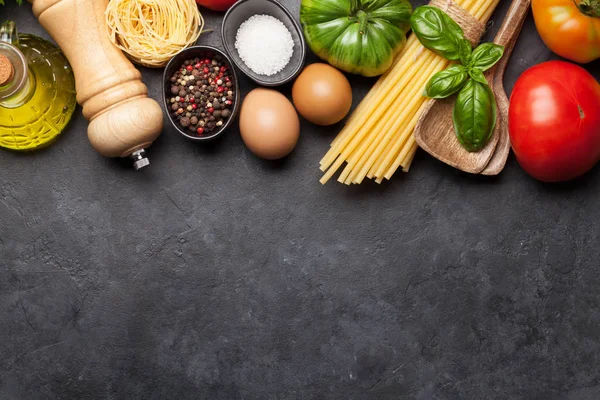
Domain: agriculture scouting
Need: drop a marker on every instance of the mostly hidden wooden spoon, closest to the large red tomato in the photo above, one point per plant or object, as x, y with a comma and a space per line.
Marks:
498, 161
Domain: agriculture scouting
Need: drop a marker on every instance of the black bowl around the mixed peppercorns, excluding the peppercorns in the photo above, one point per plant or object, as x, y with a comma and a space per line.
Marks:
175, 64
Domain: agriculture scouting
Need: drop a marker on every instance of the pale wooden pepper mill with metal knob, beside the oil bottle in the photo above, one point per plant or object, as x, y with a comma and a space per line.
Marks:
123, 120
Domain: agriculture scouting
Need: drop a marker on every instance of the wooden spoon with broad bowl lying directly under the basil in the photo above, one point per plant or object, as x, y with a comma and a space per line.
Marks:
435, 130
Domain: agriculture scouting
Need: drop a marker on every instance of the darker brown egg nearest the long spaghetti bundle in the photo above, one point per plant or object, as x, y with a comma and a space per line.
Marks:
322, 94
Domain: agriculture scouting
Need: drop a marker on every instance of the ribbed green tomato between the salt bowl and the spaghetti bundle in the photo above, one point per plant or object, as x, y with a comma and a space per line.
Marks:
357, 36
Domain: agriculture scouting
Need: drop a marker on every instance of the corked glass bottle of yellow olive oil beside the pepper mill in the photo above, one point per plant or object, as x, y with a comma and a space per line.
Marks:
37, 90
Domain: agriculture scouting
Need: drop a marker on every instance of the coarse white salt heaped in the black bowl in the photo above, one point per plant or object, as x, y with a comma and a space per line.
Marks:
264, 44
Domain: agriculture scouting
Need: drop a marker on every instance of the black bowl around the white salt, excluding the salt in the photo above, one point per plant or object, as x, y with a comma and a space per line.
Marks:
244, 9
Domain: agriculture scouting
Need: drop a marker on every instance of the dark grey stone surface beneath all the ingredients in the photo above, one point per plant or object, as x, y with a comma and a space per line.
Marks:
214, 275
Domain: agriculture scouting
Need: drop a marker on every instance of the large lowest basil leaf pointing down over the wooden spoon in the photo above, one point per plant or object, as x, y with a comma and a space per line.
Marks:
474, 115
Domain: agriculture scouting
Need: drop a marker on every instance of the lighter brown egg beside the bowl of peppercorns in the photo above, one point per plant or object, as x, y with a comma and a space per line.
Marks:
269, 124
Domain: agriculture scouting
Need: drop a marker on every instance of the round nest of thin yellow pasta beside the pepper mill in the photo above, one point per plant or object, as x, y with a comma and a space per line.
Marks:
151, 32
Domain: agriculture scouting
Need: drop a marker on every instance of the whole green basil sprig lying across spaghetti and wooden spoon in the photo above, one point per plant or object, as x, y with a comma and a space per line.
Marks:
475, 111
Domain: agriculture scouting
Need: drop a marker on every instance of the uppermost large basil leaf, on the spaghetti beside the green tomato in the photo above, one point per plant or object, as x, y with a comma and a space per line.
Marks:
437, 32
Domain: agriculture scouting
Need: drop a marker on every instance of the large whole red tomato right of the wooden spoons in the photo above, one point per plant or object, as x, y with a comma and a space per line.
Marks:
554, 121
